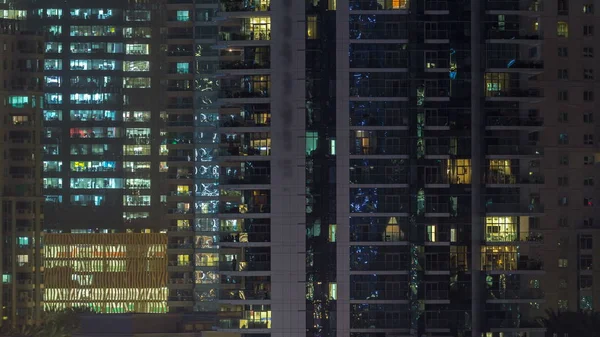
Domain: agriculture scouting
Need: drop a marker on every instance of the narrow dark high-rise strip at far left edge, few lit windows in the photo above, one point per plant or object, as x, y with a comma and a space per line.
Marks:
21, 196
